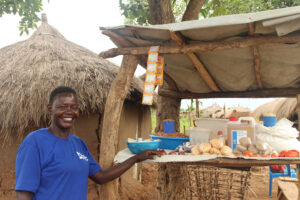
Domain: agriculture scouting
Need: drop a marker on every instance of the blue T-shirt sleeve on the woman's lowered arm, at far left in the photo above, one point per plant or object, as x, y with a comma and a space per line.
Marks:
27, 168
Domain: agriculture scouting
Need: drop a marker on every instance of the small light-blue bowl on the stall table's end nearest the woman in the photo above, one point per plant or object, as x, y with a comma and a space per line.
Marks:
138, 147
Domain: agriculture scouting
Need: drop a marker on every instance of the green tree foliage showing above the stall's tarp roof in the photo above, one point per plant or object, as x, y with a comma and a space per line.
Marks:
137, 11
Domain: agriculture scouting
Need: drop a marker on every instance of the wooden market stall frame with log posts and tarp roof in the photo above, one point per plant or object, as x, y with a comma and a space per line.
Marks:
246, 56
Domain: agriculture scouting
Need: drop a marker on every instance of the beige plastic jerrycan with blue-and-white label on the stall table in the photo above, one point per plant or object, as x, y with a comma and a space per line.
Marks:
244, 127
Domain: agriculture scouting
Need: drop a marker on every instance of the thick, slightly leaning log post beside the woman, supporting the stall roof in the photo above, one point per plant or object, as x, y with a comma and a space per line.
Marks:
111, 121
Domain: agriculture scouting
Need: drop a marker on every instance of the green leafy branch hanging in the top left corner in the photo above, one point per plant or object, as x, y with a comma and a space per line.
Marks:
26, 9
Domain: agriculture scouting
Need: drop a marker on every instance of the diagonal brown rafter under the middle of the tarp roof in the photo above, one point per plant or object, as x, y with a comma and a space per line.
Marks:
207, 78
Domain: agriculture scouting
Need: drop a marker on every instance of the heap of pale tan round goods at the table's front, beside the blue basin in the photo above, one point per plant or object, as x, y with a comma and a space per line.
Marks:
214, 146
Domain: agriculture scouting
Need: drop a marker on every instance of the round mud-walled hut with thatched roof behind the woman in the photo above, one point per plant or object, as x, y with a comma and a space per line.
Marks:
31, 69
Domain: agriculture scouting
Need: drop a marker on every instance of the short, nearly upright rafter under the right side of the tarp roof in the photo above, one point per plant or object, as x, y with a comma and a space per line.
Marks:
255, 57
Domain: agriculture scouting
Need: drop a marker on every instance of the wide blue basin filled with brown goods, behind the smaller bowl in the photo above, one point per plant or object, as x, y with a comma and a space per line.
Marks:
170, 142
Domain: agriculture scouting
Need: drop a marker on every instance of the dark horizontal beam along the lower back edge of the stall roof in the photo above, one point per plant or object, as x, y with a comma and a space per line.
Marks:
265, 93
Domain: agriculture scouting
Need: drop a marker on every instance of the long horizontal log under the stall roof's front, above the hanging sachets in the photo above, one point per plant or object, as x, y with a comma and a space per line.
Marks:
204, 46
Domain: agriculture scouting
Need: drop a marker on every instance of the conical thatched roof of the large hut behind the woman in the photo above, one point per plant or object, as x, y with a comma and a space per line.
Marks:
31, 69
